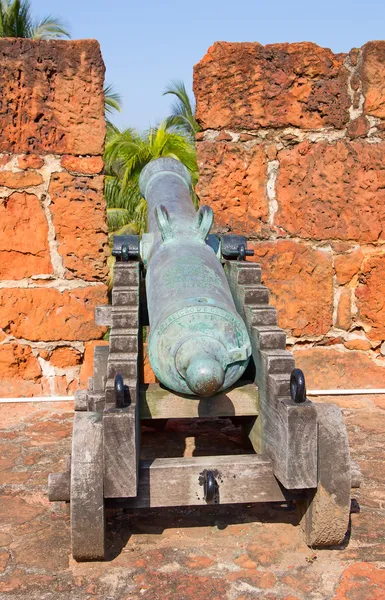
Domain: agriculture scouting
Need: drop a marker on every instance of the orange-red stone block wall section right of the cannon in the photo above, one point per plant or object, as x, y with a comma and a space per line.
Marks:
292, 153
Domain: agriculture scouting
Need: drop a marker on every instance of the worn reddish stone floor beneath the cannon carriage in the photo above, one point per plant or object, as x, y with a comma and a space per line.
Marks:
235, 552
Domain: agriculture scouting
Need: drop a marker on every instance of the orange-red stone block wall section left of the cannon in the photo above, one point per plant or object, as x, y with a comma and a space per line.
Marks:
53, 236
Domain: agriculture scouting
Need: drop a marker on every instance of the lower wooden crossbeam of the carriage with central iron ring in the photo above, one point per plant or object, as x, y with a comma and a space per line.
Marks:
179, 481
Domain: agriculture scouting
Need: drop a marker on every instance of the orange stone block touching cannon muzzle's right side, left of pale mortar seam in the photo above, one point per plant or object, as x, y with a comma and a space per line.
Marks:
232, 181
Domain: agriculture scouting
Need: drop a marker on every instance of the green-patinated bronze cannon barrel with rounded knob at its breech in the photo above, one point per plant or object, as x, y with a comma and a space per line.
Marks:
198, 343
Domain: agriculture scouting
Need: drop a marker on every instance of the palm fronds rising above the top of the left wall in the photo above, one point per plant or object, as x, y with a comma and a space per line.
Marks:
16, 21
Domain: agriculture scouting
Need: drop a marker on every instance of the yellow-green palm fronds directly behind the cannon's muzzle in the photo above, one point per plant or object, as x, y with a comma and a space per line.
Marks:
126, 153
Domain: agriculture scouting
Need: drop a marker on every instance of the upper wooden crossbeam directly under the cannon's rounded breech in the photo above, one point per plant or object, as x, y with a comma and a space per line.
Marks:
158, 403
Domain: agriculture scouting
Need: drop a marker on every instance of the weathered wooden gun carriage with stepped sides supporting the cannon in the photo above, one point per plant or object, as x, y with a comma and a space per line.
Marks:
301, 448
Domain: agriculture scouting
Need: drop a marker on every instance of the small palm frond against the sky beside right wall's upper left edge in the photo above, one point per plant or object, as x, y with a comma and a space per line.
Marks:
182, 117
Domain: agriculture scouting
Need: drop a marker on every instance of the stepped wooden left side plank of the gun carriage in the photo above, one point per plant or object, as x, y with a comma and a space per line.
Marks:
121, 426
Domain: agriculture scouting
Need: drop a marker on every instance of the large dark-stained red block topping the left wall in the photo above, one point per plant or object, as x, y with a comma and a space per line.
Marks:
57, 105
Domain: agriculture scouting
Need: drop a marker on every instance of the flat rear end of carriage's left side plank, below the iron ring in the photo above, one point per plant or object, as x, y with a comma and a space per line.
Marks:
121, 441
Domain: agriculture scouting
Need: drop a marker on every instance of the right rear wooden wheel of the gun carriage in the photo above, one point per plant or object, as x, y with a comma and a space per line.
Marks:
325, 511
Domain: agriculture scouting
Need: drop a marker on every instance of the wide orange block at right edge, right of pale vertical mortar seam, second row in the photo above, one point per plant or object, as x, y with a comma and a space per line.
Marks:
332, 191
